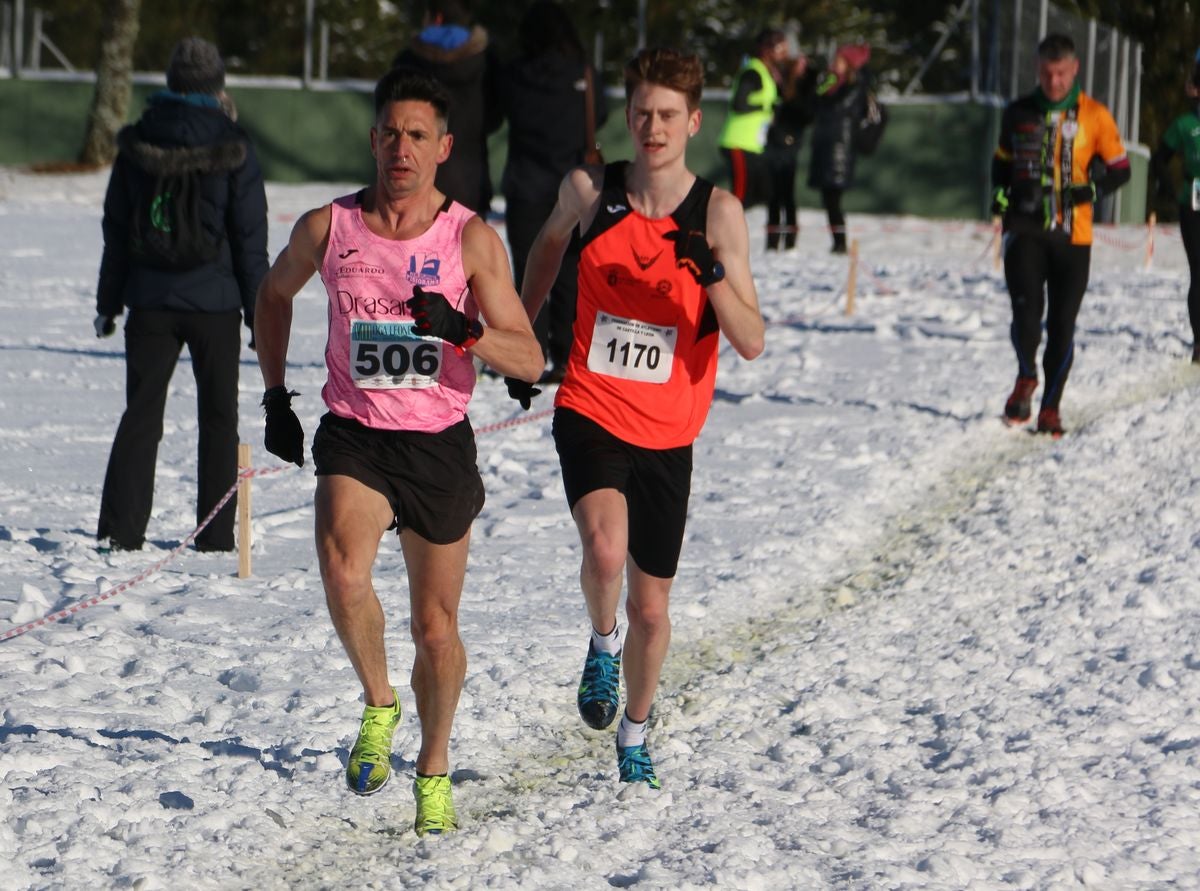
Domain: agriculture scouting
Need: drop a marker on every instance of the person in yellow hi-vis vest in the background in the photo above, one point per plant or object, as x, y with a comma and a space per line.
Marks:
752, 109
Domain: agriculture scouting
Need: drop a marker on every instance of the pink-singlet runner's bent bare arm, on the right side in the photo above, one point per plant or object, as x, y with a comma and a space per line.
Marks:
509, 345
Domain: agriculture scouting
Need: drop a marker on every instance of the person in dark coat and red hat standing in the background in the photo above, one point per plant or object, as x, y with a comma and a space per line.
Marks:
839, 107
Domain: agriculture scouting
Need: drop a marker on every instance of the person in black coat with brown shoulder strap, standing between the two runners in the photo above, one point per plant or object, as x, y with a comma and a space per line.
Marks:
544, 97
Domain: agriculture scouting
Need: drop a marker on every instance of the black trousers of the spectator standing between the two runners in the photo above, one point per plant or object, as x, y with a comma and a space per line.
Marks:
554, 326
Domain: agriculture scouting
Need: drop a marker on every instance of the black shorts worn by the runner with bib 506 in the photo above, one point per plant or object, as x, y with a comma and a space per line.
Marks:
430, 480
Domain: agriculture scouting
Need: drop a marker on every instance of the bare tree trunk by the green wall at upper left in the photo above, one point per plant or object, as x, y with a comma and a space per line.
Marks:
115, 82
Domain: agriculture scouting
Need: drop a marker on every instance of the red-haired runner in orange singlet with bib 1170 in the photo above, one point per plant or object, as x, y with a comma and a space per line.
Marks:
664, 271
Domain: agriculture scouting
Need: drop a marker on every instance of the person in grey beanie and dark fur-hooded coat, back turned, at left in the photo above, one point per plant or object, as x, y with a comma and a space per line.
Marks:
185, 129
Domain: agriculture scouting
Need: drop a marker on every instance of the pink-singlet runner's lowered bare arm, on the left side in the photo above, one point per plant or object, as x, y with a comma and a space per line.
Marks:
292, 270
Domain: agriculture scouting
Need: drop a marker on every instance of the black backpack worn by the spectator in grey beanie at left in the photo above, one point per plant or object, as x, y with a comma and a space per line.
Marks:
169, 230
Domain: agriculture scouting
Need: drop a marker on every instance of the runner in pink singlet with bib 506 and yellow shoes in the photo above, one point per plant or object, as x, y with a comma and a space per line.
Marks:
411, 279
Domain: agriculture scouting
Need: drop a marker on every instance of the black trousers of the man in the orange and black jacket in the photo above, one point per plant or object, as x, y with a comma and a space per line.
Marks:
1046, 276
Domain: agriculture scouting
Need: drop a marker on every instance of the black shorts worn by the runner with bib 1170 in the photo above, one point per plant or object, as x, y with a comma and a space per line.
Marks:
656, 485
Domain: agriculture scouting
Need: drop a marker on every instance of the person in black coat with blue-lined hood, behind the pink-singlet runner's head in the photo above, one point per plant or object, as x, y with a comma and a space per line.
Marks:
463, 58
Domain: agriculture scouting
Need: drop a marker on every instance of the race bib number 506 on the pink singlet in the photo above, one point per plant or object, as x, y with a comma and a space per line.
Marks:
389, 356
